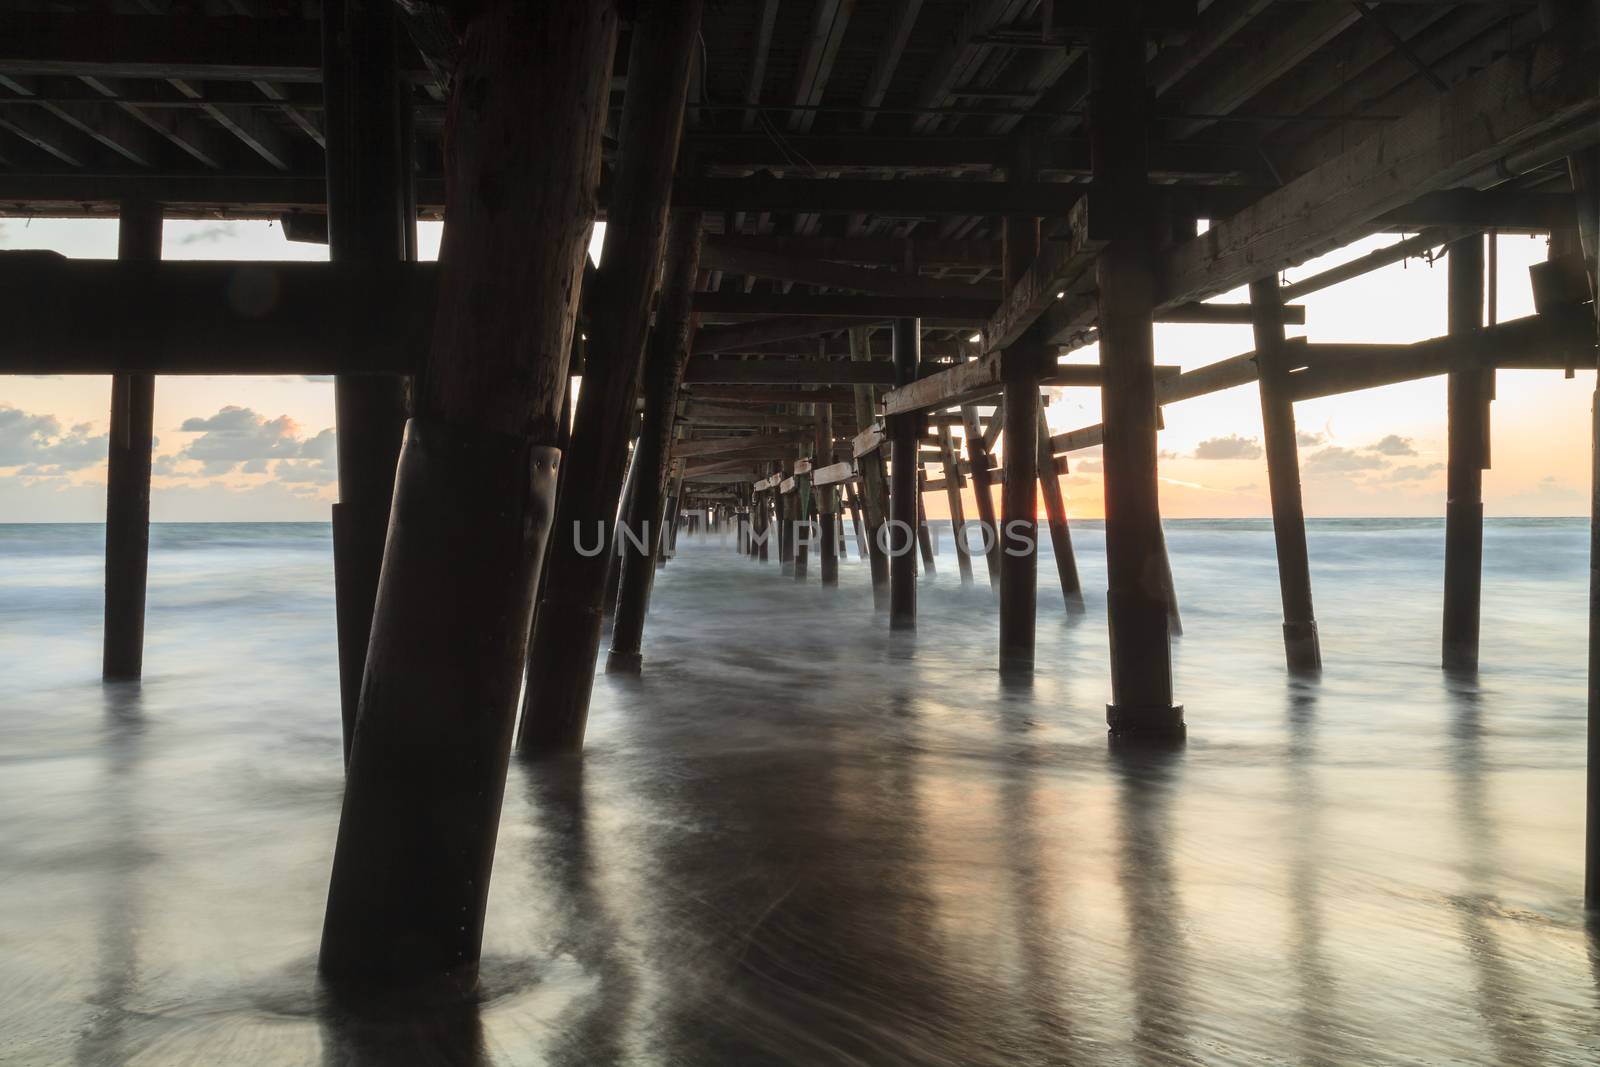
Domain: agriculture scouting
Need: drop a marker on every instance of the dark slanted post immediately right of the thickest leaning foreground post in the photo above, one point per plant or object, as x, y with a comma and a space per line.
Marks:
567, 639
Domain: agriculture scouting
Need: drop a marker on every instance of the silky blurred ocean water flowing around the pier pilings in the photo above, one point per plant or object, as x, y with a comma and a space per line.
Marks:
799, 839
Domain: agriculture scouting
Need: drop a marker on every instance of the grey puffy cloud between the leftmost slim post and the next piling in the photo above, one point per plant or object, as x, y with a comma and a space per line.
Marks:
238, 439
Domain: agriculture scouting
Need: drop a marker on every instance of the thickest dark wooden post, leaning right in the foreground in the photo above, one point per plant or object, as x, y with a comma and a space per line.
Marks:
474, 498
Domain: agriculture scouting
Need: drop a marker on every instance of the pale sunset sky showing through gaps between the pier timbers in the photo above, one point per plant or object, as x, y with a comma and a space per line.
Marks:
263, 449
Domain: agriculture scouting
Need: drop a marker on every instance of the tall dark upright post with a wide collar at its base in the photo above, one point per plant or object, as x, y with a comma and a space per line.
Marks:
1135, 553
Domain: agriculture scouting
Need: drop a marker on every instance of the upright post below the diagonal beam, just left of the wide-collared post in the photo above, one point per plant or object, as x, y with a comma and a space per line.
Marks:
1020, 511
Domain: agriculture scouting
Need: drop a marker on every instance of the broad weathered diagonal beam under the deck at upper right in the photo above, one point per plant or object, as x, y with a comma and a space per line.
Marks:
1433, 146
